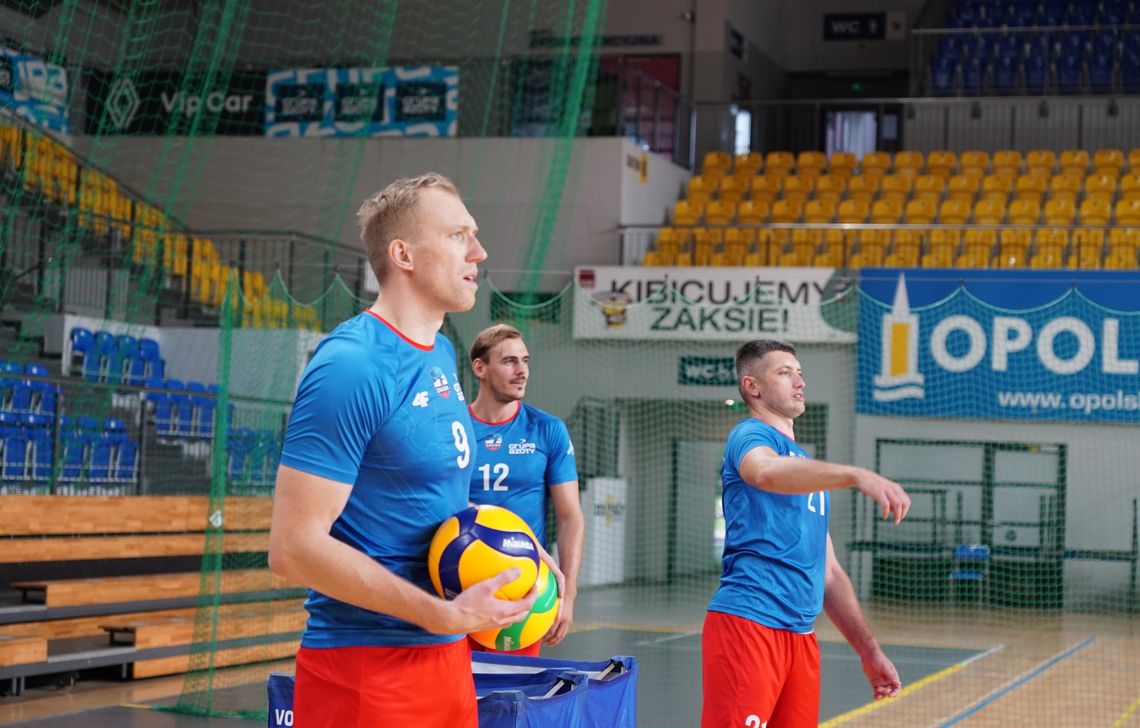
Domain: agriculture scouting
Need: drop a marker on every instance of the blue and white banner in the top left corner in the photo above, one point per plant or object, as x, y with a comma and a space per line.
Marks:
35, 89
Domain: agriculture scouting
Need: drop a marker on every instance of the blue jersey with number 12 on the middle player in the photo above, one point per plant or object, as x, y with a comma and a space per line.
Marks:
516, 462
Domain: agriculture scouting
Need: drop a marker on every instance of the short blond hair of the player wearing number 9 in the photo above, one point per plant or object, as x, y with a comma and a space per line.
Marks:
390, 215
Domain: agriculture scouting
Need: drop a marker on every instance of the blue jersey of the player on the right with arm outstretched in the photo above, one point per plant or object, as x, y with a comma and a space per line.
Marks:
776, 546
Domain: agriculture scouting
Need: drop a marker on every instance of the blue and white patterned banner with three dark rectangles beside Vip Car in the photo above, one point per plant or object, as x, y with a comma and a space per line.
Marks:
382, 102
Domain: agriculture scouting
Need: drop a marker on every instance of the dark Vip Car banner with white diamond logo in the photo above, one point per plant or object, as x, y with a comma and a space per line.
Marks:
166, 103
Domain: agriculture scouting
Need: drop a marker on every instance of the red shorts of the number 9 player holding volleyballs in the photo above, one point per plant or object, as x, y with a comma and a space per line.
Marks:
364, 688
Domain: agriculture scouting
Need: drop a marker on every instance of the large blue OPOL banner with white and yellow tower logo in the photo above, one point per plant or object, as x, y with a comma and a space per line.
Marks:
1038, 346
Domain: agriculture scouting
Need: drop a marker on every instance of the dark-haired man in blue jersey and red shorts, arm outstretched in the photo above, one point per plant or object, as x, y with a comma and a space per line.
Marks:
761, 662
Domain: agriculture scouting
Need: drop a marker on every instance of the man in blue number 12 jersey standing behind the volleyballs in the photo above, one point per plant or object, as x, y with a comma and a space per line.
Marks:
525, 456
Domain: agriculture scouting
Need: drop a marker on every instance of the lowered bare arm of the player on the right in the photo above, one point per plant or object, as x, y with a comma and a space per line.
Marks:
842, 606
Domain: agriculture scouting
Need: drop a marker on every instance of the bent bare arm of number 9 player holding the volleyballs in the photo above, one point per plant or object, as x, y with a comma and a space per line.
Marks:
303, 550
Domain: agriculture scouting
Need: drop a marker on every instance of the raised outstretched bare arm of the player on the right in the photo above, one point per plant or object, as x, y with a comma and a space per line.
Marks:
764, 469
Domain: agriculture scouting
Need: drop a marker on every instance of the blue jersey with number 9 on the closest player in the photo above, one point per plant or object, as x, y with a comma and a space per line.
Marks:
388, 416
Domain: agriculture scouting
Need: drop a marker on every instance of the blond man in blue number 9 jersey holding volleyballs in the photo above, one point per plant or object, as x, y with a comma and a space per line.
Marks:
379, 452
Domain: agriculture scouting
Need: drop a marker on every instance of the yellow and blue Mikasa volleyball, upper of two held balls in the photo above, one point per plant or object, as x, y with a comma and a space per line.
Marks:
481, 543
